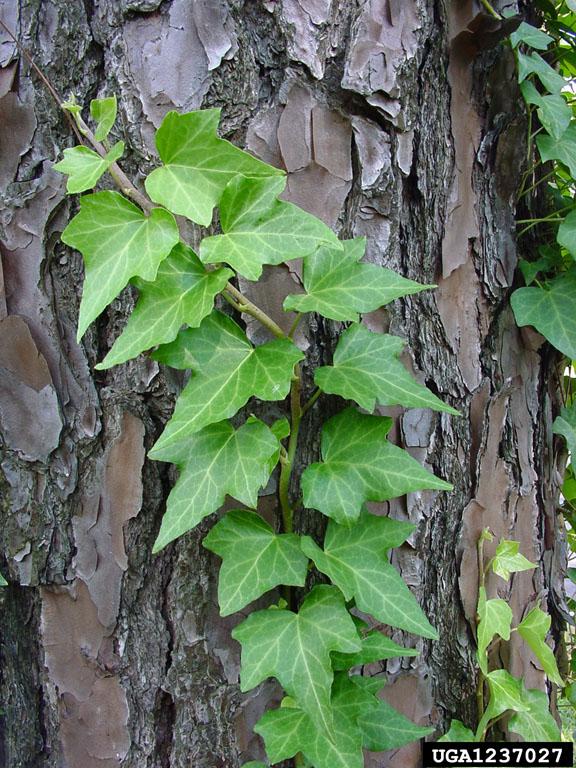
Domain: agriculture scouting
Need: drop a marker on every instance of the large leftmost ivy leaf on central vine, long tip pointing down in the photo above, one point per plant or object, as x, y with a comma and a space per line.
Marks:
118, 242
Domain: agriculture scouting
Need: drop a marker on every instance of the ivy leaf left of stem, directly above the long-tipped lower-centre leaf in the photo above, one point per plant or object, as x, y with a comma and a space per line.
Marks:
255, 559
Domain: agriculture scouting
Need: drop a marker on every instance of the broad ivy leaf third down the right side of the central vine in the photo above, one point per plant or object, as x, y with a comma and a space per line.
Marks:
361, 465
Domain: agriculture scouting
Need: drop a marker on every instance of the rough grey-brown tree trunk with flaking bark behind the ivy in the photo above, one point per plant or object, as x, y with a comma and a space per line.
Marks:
394, 122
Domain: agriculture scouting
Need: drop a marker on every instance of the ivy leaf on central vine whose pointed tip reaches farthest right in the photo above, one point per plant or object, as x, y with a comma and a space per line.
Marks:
366, 369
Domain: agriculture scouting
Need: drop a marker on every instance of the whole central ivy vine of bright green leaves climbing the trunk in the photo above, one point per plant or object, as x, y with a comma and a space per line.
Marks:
330, 714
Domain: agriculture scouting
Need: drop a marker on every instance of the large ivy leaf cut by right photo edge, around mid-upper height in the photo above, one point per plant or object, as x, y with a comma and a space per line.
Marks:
551, 309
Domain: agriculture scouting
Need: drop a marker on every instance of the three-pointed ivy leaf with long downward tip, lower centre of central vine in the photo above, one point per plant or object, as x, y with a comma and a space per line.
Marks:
295, 649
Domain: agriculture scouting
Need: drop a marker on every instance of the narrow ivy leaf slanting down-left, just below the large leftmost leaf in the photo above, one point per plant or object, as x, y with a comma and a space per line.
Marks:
182, 294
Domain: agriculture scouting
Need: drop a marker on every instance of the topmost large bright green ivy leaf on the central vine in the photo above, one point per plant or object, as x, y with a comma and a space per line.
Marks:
197, 165
